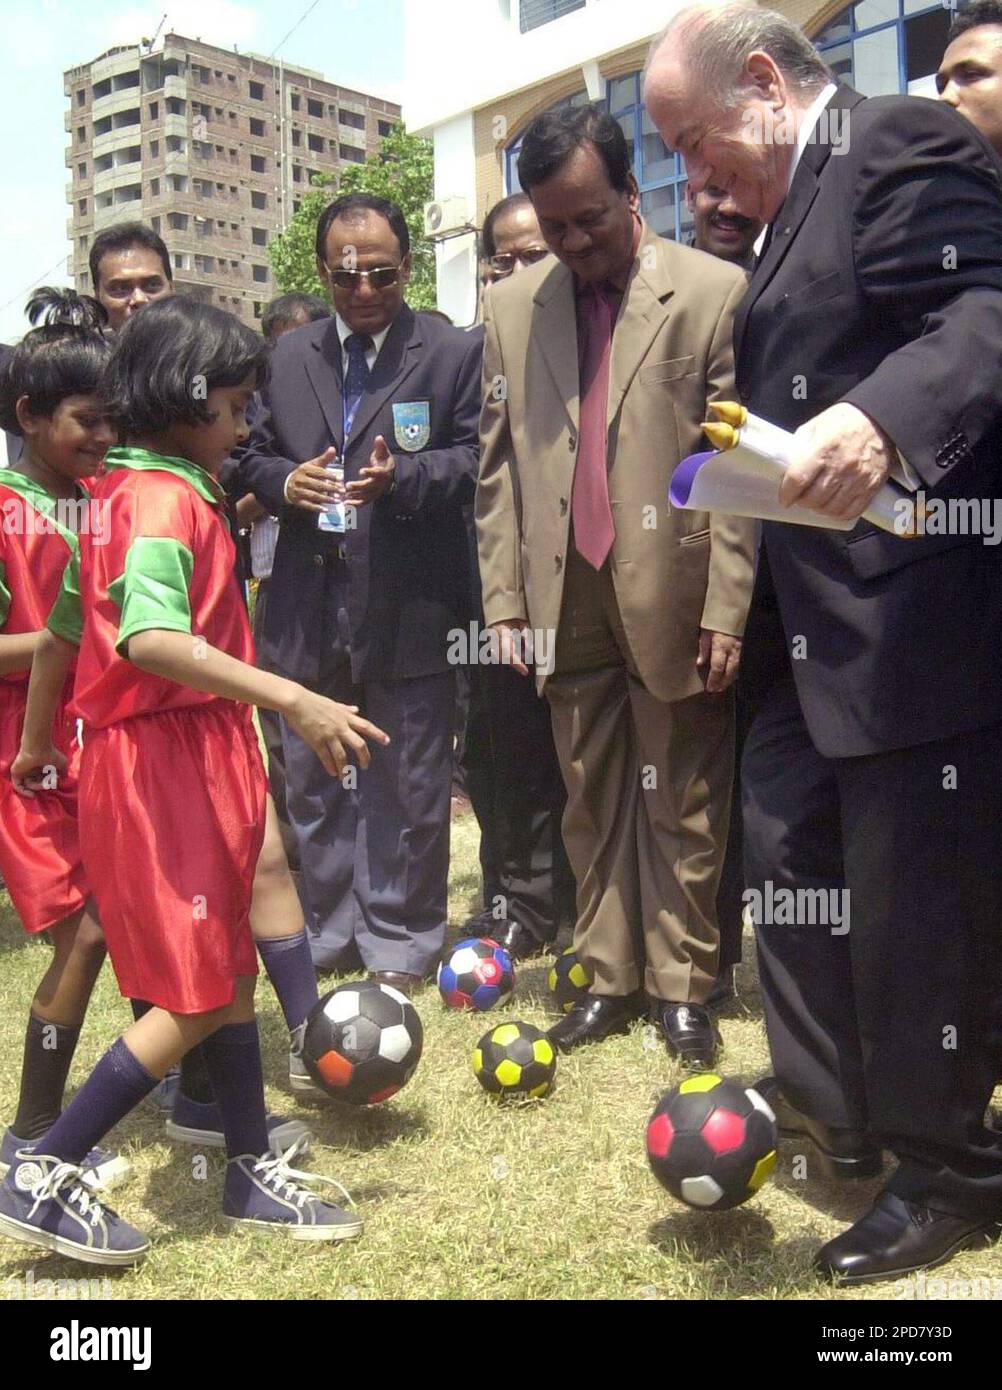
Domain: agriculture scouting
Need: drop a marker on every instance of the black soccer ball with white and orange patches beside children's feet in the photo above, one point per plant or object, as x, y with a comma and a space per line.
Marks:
363, 1042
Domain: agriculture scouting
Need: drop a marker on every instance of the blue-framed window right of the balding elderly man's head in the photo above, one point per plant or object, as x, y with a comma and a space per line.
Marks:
887, 47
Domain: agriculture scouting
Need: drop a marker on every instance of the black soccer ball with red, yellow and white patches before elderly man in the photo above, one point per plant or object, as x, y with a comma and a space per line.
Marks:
712, 1142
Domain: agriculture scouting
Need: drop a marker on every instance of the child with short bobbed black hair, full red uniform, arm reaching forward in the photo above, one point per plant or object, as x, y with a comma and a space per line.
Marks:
173, 787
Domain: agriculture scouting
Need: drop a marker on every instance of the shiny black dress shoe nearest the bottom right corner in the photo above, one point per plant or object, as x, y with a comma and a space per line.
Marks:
898, 1238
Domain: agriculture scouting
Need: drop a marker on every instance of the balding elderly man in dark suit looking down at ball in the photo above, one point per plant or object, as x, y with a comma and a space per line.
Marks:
873, 329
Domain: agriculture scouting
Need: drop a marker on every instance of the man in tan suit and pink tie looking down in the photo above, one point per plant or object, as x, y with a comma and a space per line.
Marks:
598, 369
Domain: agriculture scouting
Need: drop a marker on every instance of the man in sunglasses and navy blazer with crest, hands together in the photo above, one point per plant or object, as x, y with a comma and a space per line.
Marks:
372, 573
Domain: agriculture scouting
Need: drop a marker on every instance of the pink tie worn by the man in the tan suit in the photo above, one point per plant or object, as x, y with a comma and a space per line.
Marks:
594, 530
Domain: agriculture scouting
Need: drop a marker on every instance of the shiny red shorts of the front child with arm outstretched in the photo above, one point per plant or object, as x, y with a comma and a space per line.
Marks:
172, 832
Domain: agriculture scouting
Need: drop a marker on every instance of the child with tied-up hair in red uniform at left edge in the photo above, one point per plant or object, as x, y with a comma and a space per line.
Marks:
49, 398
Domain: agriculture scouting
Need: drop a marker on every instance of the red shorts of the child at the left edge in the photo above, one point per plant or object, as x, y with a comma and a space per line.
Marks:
40, 844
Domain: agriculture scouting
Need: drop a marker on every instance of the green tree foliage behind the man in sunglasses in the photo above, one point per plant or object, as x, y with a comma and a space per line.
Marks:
402, 172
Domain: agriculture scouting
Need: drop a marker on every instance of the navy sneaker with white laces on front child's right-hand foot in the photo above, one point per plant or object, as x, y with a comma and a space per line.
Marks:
268, 1195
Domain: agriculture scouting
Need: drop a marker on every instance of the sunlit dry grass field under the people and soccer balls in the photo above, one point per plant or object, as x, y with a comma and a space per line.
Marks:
465, 1199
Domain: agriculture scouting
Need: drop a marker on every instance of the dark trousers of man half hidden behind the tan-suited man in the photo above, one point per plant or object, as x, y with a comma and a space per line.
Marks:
514, 780
